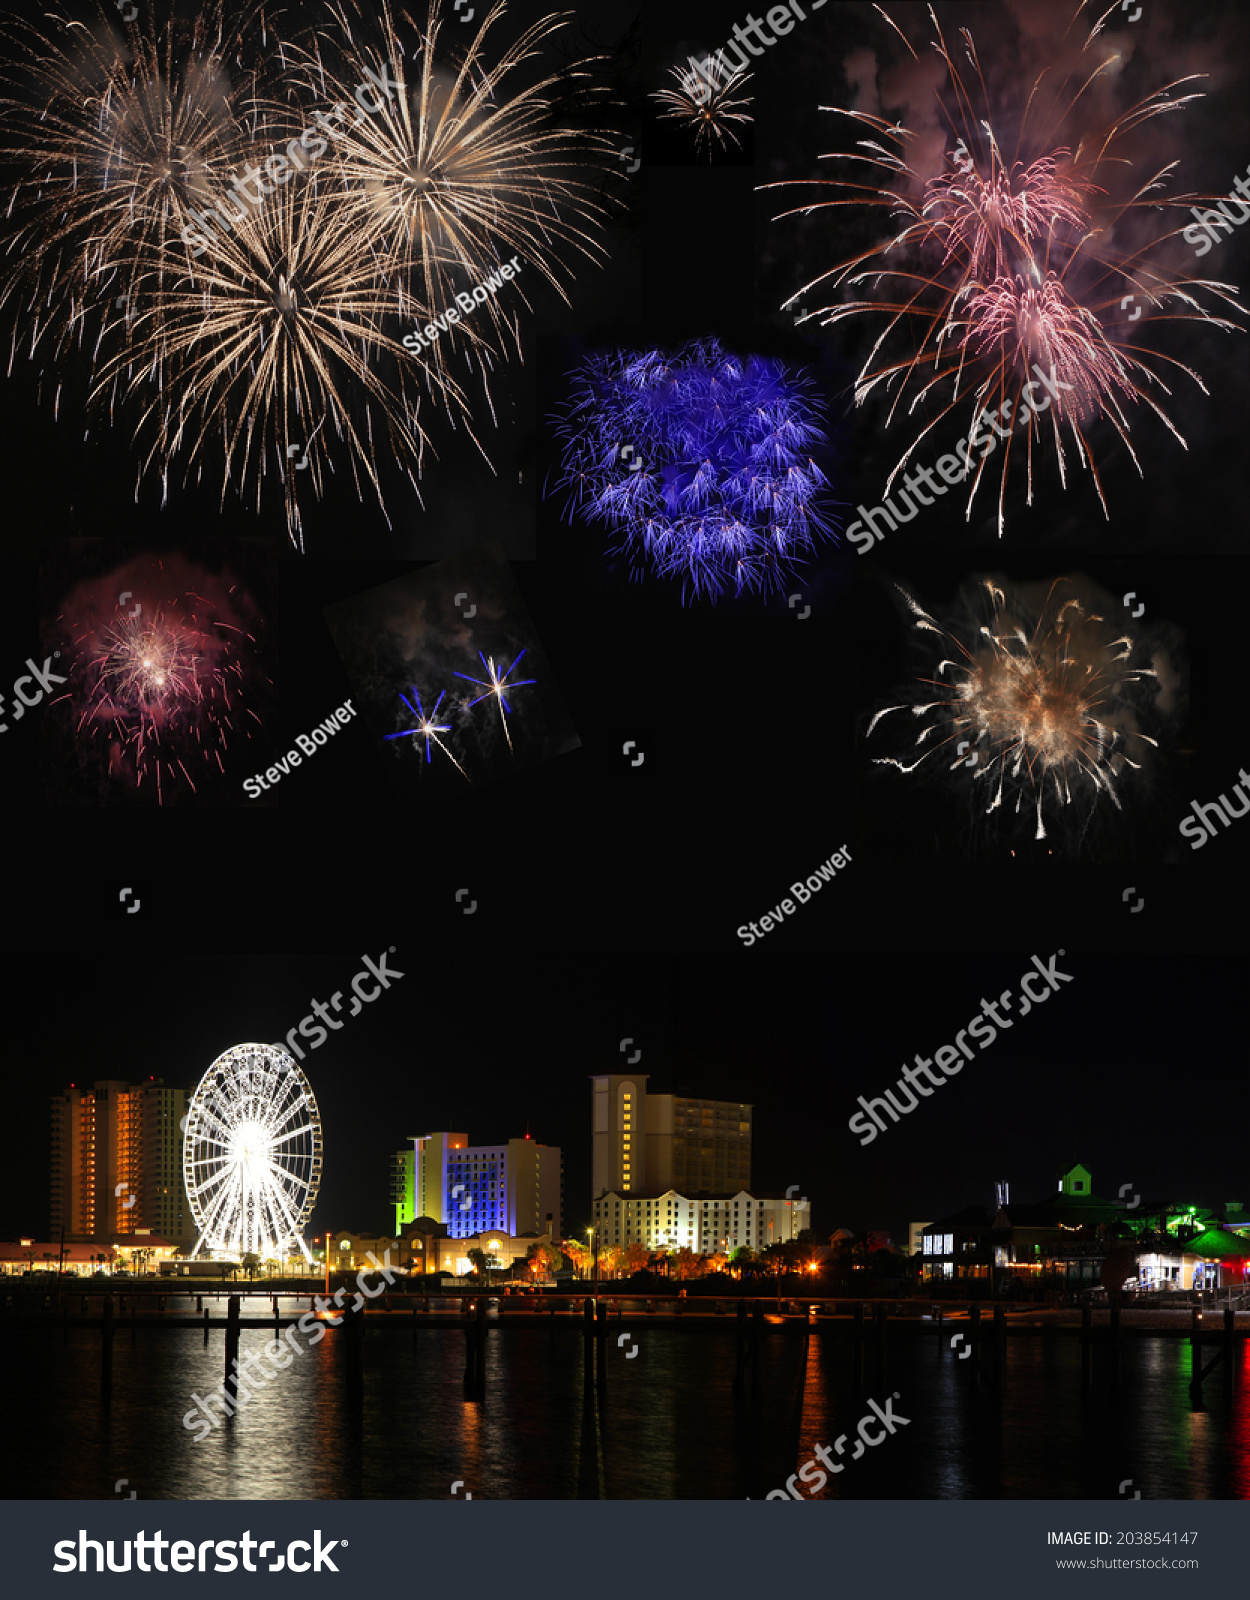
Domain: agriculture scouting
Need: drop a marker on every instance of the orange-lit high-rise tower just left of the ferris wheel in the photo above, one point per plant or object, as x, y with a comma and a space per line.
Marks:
118, 1162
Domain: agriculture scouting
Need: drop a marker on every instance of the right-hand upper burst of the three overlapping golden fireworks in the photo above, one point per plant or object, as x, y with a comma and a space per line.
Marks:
467, 167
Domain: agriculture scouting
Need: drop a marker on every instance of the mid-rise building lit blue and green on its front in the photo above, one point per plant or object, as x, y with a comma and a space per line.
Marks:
515, 1188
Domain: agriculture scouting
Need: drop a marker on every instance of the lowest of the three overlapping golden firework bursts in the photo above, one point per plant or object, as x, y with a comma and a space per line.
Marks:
271, 348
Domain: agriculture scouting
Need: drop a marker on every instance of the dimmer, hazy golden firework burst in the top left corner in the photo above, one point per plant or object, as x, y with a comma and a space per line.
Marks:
114, 138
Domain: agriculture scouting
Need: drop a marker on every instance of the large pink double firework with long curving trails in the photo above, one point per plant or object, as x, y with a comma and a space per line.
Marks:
1001, 271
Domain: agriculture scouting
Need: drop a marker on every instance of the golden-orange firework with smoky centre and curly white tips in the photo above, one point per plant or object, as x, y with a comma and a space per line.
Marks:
1043, 697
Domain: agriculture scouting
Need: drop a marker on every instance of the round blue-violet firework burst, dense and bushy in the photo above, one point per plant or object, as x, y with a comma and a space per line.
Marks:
723, 489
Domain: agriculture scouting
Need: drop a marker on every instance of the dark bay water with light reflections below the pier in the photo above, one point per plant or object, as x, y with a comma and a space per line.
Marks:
670, 1425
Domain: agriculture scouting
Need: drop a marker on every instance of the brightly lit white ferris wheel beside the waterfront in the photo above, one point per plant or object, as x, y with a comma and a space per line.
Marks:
252, 1154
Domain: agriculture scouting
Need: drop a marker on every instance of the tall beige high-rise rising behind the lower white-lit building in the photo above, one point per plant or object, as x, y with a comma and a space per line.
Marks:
654, 1143
